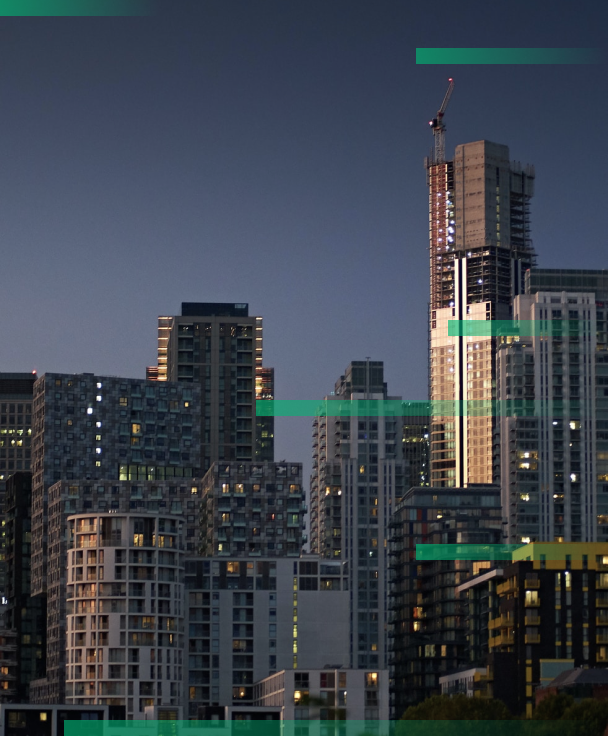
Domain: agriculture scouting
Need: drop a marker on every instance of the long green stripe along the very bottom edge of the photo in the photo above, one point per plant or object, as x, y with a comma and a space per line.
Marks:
332, 727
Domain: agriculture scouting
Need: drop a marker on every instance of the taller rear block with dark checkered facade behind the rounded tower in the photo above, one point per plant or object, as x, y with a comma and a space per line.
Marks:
107, 428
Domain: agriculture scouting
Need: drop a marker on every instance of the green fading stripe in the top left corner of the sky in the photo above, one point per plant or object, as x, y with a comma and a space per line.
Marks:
72, 8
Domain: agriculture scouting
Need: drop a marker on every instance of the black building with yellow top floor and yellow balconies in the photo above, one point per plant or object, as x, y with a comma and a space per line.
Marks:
552, 615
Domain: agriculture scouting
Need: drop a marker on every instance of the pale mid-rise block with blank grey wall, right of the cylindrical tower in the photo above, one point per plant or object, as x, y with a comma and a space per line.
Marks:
251, 617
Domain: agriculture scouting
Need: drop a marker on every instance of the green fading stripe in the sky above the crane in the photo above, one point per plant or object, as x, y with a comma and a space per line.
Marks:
508, 56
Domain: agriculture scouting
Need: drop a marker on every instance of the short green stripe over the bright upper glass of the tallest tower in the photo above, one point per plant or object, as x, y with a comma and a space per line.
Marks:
511, 328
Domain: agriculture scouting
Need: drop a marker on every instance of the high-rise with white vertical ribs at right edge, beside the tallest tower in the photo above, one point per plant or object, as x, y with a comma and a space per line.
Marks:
554, 429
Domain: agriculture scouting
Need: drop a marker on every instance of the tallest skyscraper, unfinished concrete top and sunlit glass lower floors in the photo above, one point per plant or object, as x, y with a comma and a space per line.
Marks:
480, 248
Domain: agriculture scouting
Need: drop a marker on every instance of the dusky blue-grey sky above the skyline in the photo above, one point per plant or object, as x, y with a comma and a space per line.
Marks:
271, 152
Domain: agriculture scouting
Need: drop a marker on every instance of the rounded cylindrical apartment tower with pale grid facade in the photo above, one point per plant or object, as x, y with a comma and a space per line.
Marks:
125, 620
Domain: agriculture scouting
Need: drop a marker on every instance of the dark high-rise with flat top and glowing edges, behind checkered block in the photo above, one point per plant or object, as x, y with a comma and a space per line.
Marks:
219, 347
